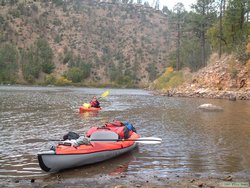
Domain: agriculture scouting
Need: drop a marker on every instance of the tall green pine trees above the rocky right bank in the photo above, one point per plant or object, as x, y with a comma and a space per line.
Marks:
220, 26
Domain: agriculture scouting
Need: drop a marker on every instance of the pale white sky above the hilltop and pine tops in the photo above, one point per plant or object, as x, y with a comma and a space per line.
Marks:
170, 3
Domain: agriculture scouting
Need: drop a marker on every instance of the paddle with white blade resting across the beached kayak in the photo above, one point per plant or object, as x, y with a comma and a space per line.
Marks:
143, 140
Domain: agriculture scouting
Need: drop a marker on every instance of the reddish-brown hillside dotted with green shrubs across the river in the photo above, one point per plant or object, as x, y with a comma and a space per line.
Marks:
124, 44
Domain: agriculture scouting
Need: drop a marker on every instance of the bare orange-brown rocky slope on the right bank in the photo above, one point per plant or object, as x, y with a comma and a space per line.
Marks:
226, 78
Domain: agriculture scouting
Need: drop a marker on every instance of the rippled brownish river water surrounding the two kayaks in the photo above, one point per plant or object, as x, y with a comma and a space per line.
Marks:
194, 141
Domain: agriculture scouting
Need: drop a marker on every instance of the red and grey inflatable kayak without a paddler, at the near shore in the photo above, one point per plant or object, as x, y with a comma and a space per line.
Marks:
64, 156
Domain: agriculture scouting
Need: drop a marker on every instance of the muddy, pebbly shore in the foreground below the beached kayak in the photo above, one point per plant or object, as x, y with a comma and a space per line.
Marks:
127, 181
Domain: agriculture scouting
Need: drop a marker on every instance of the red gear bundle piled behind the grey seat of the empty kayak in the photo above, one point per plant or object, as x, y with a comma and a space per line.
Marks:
116, 126
